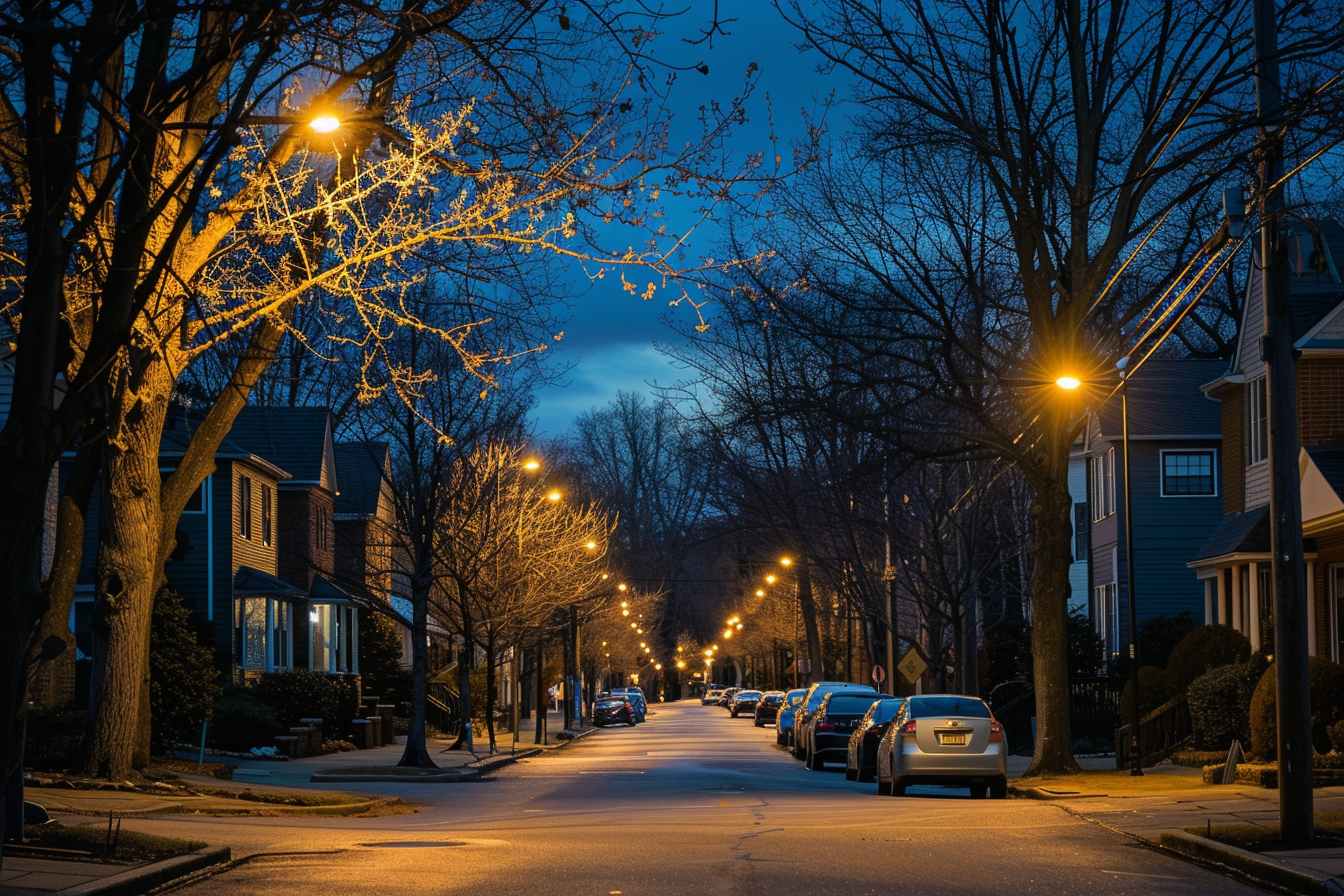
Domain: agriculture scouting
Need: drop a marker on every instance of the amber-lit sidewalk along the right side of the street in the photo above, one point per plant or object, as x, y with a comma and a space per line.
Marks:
1159, 815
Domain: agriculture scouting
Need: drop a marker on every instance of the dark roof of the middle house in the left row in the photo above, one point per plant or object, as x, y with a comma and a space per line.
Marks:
296, 439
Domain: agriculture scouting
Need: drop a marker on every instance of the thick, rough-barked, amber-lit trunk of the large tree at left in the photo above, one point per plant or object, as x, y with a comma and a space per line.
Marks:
128, 550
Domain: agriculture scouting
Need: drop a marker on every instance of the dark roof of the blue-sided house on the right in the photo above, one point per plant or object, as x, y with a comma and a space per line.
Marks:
1166, 400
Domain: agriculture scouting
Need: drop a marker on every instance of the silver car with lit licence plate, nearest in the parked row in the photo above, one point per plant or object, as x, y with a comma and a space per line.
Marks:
944, 740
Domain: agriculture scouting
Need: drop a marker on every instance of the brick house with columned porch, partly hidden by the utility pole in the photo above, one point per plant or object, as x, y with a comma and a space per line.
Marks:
1234, 564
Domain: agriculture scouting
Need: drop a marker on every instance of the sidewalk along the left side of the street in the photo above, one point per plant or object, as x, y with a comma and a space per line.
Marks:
49, 875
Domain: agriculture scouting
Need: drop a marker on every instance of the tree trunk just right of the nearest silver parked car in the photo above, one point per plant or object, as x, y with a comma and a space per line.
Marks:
1050, 542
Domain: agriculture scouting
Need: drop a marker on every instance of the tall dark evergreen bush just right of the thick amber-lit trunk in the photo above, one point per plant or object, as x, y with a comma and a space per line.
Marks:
182, 674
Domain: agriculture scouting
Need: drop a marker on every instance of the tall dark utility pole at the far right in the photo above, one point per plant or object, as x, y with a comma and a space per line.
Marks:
1295, 731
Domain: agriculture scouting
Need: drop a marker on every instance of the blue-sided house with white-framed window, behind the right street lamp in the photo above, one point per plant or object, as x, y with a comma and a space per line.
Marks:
1174, 440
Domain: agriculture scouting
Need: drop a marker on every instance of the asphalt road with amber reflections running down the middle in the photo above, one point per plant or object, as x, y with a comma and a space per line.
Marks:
690, 803
